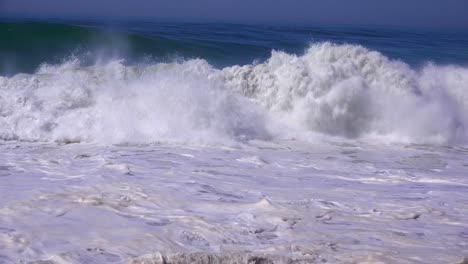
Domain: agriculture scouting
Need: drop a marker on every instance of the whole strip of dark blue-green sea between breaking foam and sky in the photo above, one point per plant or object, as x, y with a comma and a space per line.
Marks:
24, 45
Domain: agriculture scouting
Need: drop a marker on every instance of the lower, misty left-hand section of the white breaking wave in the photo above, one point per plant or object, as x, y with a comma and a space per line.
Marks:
114, 103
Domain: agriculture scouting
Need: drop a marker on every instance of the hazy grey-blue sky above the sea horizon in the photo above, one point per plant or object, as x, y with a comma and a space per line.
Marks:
427, 13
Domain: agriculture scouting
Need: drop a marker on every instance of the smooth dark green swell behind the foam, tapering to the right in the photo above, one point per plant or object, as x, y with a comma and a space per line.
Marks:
31, 44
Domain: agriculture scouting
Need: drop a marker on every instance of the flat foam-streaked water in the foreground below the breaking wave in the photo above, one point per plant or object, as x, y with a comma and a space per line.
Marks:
335, 202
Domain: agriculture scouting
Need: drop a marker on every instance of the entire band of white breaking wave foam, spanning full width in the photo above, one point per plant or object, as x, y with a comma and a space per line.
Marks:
333, 90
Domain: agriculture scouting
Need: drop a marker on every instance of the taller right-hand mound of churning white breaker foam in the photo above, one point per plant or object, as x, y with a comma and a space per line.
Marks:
350, 91
